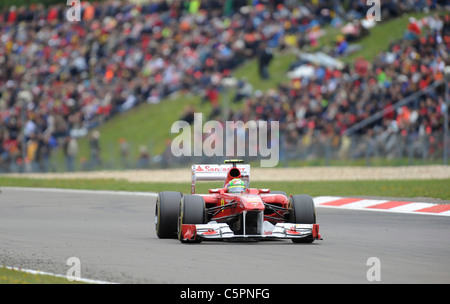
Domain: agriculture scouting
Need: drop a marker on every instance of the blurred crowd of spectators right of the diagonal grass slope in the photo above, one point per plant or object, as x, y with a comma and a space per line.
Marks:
316, 112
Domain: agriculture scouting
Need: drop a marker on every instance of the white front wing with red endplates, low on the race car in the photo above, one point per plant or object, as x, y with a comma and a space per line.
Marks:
216, 231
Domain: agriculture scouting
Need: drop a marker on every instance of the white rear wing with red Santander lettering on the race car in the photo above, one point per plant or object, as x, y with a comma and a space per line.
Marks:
209, 172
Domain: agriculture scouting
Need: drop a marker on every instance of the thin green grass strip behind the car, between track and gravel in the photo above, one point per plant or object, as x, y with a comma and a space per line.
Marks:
433, 188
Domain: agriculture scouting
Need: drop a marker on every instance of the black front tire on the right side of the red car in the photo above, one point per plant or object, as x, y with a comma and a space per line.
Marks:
303, 212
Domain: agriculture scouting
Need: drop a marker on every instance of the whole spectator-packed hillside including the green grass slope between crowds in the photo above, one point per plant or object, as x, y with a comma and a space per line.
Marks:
102, 93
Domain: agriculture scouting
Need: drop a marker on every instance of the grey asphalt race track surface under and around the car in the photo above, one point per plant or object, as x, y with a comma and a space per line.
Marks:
114, 237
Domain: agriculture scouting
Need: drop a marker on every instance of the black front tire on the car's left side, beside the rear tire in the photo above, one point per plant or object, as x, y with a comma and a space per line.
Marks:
191, 210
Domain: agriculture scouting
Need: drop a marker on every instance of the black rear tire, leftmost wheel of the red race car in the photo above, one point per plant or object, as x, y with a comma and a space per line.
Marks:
166, 214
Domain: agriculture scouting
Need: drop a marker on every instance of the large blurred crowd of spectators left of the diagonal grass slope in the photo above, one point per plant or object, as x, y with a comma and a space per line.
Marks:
60, 79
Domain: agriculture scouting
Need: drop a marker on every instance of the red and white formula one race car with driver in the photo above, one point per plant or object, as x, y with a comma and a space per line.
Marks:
234, 211
